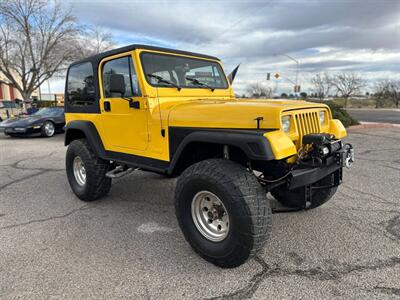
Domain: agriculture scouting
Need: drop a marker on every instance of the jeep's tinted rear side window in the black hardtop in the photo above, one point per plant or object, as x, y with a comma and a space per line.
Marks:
80, 85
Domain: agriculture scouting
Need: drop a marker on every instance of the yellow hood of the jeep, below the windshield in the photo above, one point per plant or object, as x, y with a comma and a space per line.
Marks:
234, 113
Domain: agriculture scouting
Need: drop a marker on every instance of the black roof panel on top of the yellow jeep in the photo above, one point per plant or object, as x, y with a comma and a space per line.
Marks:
95, 59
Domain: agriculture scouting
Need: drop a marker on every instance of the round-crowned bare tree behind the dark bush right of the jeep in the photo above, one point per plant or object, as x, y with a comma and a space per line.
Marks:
347, 84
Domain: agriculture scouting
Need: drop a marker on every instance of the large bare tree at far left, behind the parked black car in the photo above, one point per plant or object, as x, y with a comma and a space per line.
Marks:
39, 38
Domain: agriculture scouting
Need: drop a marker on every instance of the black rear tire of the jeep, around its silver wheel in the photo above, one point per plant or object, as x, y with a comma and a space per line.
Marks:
97, 184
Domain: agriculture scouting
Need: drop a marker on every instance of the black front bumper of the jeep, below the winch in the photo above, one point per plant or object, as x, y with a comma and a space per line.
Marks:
332, 165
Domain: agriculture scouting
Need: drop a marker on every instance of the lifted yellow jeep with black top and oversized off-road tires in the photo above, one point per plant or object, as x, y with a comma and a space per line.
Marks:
175, 113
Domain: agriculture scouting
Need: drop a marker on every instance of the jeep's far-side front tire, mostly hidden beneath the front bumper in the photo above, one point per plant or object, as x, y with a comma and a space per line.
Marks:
294, 198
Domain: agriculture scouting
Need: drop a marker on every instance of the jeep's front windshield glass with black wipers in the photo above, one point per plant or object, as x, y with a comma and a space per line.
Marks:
182, 71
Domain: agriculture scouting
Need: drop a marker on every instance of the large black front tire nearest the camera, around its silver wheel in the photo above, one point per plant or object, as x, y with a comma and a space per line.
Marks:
245, 200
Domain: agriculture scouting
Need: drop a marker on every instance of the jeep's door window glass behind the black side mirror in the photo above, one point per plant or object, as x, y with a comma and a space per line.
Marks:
124, 66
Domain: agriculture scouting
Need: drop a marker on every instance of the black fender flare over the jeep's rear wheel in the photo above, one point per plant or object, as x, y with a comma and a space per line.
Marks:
75, 129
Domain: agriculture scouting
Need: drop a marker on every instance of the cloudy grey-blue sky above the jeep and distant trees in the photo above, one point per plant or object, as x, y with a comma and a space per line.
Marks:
330, 36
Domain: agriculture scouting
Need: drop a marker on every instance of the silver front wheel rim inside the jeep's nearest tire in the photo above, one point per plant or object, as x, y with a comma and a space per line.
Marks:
210, 216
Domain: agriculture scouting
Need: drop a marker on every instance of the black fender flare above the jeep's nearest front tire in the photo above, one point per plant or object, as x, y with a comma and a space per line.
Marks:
252, 143
